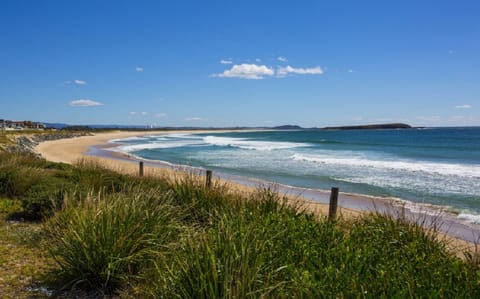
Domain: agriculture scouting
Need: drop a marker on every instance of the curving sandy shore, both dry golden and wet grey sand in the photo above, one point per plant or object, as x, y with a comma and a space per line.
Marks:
459, 235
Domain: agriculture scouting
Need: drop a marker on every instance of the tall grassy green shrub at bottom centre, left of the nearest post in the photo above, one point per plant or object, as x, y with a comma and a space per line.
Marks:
252, 250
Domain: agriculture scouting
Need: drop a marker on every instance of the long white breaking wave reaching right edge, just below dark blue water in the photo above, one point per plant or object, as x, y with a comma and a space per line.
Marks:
460, 170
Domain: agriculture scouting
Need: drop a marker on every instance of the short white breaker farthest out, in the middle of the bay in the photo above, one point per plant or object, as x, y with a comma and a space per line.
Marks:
251, 144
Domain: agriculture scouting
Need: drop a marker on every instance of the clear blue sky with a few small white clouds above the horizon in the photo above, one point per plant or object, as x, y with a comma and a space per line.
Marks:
240, 63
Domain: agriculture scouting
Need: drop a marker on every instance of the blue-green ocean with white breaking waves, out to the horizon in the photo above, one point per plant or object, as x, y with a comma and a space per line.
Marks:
429, 166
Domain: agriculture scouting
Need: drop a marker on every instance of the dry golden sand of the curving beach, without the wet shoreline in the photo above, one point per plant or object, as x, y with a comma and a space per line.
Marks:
75, 149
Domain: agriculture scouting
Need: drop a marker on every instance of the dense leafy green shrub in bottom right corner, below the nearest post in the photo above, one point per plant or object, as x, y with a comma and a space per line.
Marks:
392, 257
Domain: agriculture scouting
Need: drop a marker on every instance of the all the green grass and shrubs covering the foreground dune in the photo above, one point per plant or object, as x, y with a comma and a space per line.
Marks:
174, 238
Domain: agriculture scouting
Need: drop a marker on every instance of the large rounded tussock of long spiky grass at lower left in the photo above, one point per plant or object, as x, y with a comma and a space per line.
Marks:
106, 241
